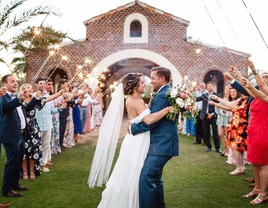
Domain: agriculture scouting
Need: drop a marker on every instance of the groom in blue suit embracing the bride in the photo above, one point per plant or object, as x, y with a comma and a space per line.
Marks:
164, 143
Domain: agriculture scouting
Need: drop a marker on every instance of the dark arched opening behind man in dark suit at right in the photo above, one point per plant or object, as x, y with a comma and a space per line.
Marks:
216, 77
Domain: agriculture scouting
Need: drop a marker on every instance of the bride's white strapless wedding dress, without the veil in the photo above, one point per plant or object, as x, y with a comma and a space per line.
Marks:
122, 188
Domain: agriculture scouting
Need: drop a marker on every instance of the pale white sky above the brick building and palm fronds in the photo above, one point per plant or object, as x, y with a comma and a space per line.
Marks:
242, 35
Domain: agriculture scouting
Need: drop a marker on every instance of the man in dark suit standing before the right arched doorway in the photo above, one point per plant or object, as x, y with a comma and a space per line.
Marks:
209, 117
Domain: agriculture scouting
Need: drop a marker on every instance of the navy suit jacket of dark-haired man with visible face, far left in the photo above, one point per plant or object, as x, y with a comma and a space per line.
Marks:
12, 130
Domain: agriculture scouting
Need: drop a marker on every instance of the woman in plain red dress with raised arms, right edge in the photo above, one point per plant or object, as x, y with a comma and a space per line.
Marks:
257, 137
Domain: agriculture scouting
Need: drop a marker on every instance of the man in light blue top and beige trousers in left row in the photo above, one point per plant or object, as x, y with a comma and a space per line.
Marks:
44, 120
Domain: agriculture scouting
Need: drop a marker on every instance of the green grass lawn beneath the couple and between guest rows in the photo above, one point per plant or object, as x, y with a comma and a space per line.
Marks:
194, 179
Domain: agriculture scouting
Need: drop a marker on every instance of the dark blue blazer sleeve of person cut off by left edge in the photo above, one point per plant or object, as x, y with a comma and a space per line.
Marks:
6, 107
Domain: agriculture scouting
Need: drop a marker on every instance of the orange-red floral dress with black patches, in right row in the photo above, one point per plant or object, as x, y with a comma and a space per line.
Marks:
237, 130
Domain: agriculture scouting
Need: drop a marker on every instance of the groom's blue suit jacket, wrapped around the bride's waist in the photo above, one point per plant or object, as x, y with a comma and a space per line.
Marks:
164, 138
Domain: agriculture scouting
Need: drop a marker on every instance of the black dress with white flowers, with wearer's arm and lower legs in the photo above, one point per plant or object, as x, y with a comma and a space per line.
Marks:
33, 144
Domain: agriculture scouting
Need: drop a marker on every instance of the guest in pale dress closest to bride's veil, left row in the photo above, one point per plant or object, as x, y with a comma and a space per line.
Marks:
97, 109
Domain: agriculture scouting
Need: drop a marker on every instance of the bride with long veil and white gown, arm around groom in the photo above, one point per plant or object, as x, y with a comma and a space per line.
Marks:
122, 188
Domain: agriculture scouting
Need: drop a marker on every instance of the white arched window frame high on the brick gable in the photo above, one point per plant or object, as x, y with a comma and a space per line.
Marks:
144, 28
